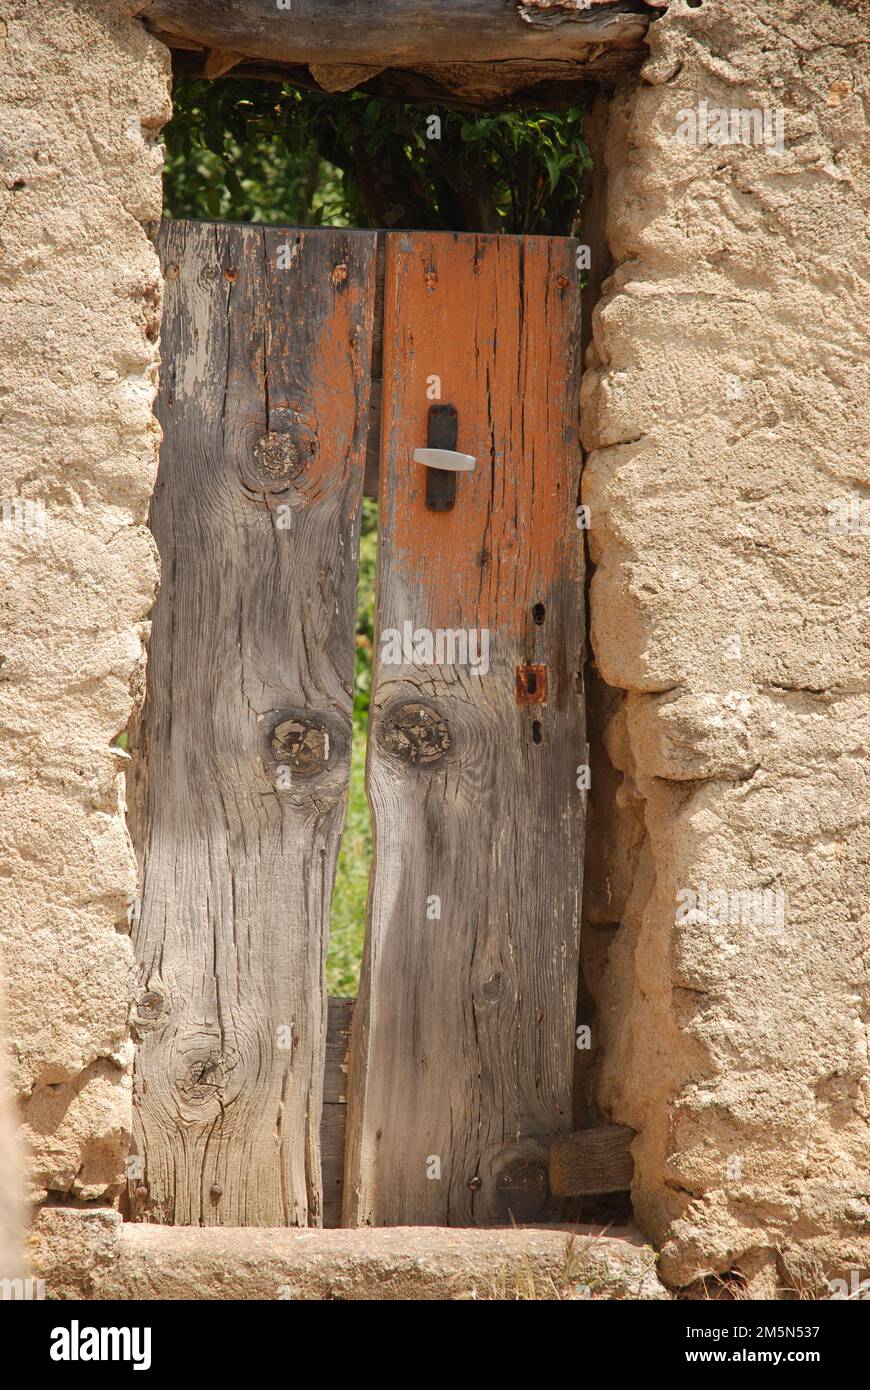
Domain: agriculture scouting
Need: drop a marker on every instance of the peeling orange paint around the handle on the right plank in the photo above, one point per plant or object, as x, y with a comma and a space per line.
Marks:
501, 340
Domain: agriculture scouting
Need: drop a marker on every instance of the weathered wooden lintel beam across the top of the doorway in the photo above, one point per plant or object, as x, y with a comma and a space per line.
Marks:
398, 33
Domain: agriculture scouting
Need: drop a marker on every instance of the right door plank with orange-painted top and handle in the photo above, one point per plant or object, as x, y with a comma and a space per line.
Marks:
463, 1033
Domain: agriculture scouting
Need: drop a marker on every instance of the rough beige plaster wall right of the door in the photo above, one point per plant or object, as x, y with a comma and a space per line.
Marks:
725, 408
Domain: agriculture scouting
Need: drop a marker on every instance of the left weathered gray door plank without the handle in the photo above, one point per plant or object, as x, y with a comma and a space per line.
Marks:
241, 761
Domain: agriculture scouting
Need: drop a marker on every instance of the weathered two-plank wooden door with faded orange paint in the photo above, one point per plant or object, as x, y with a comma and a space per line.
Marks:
463, 1033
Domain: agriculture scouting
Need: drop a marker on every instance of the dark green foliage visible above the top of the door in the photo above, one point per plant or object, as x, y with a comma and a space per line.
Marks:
268, 152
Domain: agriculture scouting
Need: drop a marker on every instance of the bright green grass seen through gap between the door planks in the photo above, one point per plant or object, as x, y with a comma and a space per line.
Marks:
348, 917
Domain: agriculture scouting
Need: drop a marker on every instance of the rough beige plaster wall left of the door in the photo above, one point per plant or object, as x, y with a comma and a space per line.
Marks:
83, 95
